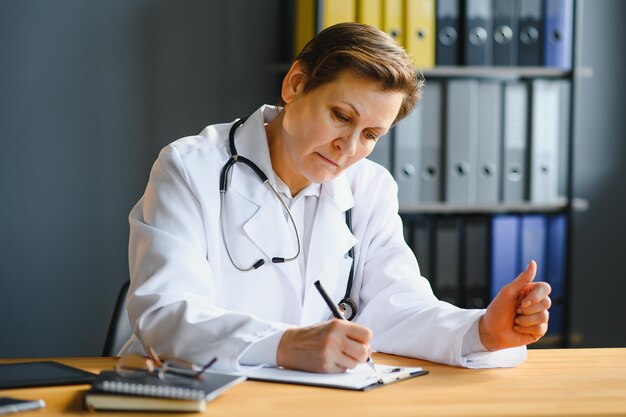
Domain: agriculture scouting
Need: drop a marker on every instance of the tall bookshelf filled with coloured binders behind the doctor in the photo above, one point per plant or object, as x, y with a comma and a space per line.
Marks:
469, 226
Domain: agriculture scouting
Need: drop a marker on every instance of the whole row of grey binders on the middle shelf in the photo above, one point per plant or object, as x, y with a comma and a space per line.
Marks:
480, 142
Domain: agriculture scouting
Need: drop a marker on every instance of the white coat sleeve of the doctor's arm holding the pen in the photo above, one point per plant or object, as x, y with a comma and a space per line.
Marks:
172, 299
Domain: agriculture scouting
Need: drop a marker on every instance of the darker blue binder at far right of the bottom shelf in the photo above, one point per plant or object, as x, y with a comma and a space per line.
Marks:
555, 270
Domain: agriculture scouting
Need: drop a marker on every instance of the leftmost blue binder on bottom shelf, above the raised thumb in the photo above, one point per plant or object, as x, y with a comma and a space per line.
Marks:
505, 251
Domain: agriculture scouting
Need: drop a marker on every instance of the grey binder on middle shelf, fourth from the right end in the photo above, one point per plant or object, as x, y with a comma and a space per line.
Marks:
461, 140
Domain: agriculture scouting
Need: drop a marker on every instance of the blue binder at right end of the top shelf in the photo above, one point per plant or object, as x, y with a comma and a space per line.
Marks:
558, 31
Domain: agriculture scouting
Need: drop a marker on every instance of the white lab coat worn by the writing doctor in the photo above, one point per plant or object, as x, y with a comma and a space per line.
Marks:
186, 299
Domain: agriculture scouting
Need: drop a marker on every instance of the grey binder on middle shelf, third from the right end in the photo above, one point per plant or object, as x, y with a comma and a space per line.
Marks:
489, 143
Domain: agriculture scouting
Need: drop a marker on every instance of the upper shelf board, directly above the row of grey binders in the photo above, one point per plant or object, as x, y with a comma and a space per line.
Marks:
507, 73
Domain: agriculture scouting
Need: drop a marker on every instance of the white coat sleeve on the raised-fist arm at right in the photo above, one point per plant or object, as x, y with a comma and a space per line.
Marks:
398, 304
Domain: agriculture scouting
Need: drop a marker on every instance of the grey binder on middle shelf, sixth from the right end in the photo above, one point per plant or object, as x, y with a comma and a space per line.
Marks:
407, 156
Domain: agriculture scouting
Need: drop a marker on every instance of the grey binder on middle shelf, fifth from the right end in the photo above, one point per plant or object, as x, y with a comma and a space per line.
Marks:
431, 143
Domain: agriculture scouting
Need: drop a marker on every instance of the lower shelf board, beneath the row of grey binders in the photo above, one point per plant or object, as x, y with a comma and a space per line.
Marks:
522, 207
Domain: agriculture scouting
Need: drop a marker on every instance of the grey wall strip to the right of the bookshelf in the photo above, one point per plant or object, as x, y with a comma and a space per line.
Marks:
599, 234
